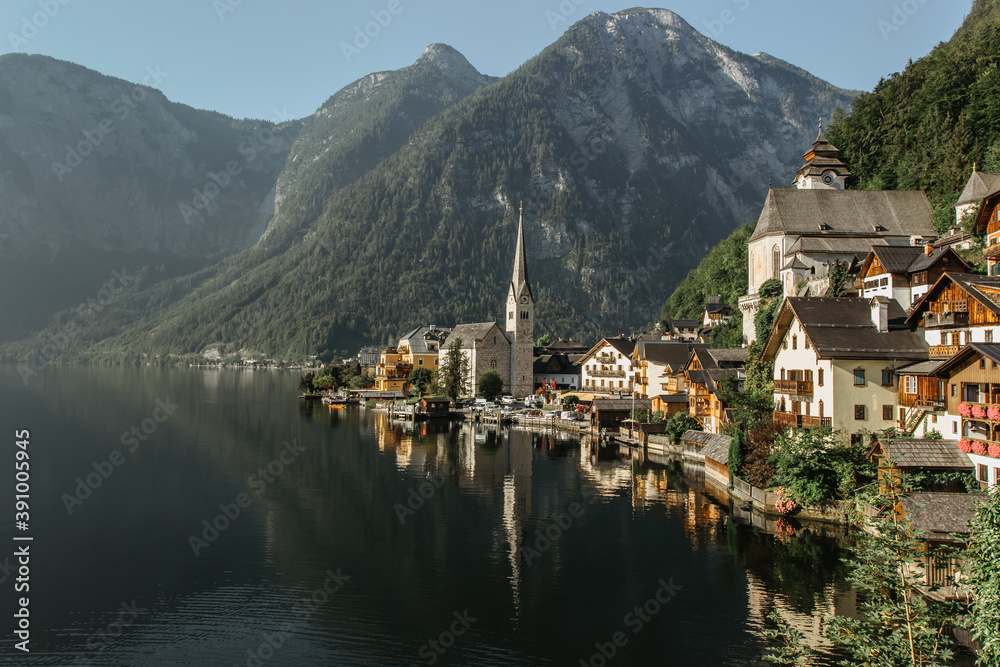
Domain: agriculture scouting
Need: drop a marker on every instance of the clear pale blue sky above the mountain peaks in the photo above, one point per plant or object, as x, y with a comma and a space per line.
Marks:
263, 58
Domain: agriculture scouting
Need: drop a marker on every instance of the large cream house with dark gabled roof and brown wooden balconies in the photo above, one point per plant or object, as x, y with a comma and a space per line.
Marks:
835, 360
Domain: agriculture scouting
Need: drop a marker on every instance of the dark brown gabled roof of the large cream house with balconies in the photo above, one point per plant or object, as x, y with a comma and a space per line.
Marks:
843, 329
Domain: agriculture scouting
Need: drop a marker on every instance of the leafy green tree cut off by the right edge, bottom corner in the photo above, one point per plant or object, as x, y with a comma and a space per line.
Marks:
982, 558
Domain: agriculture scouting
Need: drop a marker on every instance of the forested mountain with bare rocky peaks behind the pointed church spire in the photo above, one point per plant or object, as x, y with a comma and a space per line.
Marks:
634, 142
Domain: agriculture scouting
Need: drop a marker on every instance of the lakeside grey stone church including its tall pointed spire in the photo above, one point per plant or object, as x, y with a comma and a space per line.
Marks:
508, 350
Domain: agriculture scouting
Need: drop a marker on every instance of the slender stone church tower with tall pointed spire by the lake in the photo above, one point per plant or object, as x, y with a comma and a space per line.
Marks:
521, 321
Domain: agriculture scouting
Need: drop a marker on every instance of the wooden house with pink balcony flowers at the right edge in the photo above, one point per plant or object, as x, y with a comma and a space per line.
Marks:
973, 377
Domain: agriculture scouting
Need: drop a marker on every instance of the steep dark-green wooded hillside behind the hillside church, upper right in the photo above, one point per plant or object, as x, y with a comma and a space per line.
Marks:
925, 128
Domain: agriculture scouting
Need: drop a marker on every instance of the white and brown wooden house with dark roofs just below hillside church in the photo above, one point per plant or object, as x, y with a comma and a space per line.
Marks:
905, 273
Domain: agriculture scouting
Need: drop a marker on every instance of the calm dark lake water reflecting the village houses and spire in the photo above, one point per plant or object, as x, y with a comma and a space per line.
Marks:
358, 542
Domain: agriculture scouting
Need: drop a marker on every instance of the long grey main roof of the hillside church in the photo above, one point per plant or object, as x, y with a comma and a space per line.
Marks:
857, 213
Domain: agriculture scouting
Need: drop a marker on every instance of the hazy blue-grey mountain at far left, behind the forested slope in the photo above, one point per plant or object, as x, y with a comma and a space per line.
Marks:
97, 173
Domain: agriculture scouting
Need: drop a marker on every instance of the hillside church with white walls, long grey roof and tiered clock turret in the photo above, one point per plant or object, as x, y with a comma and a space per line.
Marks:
803, 233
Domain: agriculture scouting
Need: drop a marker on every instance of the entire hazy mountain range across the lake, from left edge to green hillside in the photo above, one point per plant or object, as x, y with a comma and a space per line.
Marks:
634, 142
